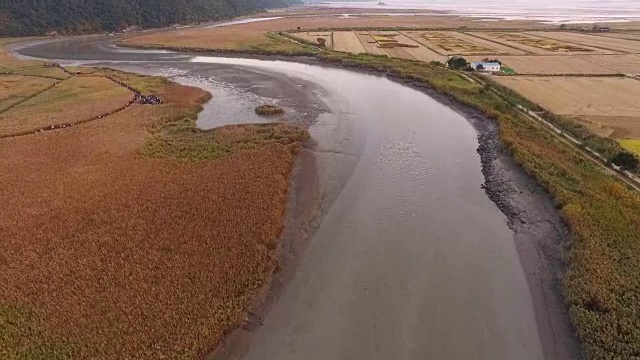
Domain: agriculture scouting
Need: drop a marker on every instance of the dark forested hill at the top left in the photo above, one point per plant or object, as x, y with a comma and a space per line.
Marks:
39, 17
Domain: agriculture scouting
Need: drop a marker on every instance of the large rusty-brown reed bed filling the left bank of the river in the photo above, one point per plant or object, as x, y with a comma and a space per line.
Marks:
135, 235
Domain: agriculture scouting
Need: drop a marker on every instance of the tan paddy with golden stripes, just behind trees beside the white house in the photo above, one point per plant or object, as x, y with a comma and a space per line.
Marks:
446, 43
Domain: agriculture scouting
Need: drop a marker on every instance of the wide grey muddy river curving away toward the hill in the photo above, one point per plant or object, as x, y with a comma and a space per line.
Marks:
411, 260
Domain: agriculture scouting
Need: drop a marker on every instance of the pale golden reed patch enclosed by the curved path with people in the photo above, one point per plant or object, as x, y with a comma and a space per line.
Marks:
84, 97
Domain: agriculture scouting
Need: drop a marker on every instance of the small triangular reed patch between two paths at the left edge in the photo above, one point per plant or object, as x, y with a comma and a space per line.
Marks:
15, 88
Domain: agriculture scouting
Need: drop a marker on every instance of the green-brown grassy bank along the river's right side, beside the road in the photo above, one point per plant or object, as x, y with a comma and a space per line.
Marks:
602, 285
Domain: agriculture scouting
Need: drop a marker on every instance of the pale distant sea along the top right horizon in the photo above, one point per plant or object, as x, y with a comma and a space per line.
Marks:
545, 11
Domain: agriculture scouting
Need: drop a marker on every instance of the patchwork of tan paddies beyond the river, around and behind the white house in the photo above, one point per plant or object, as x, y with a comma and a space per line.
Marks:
437, 45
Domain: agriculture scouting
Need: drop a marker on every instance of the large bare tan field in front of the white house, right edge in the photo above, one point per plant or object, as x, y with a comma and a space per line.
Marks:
607, 105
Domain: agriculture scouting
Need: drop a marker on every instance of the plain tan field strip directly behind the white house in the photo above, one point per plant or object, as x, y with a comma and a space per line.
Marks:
552, 65
